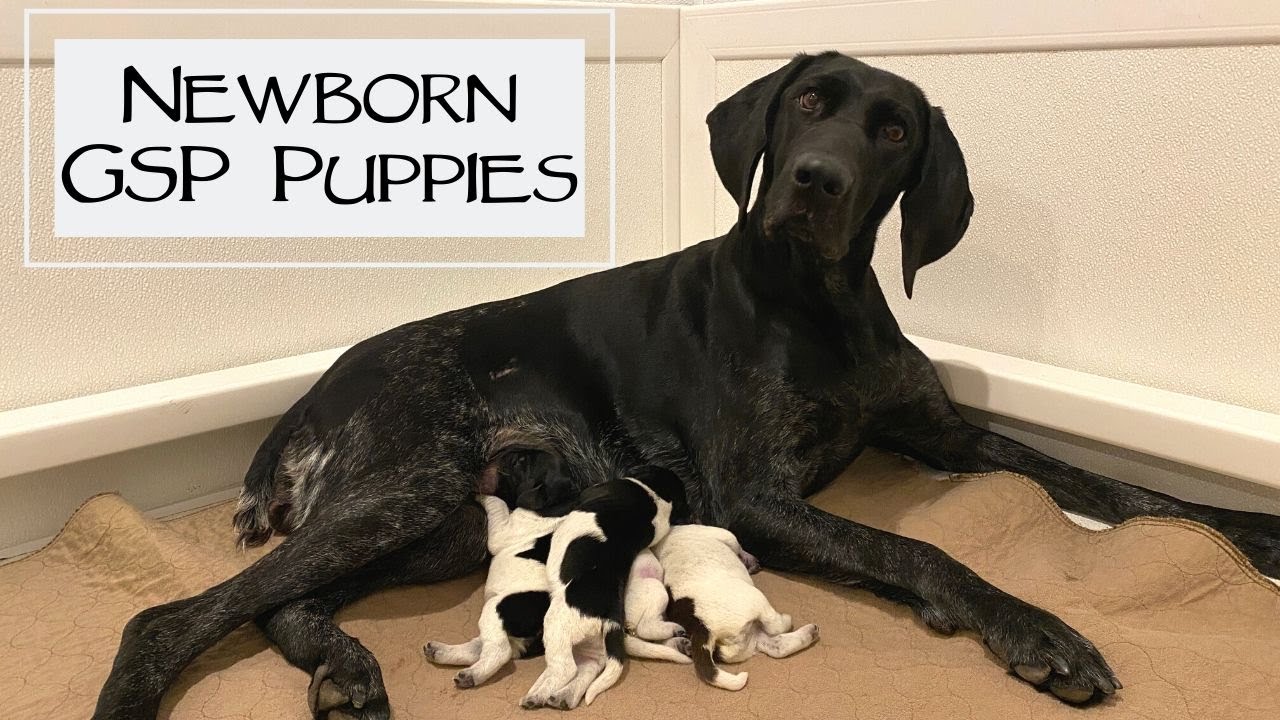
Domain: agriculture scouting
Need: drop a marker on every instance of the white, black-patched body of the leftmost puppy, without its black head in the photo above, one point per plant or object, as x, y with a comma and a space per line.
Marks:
516, 595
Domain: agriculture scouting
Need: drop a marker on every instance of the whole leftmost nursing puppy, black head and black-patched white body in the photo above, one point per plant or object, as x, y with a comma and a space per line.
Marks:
516, 590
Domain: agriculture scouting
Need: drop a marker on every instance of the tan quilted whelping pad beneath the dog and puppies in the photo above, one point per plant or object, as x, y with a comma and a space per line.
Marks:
1187, 625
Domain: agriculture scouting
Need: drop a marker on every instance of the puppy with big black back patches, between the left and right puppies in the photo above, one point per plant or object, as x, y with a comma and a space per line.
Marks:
592, 554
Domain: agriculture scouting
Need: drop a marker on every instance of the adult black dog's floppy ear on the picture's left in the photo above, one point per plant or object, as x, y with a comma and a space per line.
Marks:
740, 130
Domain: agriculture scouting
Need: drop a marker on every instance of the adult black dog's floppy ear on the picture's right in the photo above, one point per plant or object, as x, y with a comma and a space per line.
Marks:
936, 212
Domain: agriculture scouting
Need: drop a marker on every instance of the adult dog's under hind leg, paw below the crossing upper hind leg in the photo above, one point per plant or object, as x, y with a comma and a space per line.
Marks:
344, 672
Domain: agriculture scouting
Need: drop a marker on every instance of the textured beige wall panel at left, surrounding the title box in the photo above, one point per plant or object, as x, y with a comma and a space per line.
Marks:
66, 334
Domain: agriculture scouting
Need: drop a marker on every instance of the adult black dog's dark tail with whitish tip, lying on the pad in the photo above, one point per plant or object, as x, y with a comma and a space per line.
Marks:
259, 512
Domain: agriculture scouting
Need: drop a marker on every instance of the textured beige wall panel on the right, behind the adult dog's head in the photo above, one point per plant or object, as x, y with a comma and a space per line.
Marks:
1127, 215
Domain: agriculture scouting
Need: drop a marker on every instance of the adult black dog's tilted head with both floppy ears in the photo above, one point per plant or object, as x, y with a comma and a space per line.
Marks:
840, 142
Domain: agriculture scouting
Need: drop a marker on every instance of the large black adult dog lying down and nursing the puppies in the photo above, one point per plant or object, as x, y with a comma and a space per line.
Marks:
757, 367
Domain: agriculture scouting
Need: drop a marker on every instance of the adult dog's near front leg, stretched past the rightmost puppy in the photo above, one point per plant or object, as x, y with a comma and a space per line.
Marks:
790, 535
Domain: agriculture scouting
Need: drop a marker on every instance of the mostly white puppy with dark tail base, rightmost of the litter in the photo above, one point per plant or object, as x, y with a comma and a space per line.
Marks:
714, 598
